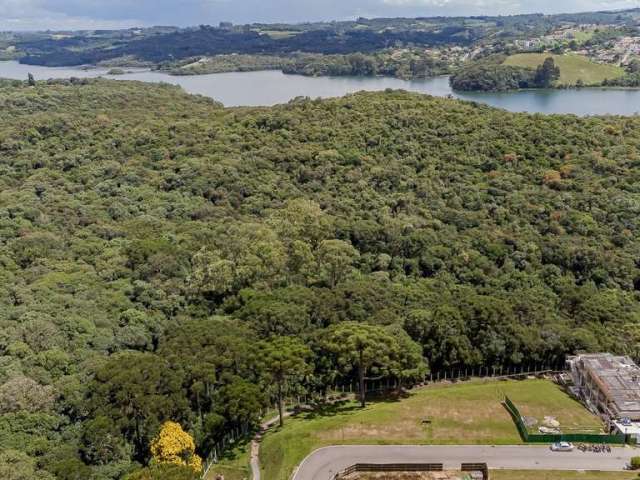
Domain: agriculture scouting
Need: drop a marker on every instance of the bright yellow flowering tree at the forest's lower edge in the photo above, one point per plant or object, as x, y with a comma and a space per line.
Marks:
174, 445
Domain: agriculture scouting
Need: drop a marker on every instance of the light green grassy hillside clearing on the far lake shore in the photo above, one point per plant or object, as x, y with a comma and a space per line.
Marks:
572, 67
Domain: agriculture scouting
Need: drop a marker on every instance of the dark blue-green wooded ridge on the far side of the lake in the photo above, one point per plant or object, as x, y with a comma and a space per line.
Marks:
214, 41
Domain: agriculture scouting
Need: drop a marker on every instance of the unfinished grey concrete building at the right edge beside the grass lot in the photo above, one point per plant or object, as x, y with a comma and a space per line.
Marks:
608, 384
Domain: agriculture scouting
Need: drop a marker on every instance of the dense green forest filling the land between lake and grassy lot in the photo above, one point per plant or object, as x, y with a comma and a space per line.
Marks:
163, 258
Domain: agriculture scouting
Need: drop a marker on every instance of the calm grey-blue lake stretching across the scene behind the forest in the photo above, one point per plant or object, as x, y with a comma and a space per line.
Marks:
273, 87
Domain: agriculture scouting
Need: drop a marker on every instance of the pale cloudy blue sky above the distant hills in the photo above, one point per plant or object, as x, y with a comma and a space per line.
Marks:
89, 14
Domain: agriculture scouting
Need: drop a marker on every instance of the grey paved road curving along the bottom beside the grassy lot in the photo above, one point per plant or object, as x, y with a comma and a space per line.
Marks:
325, 462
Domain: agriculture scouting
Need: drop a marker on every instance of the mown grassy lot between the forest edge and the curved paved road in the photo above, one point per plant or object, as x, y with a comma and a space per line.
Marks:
465, 413
